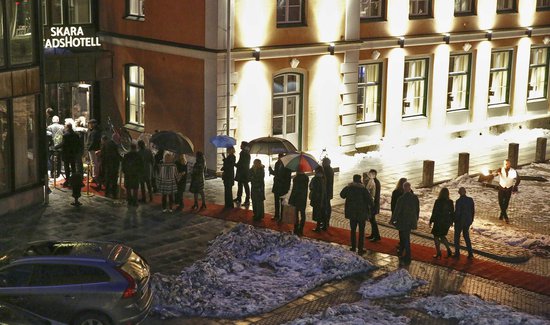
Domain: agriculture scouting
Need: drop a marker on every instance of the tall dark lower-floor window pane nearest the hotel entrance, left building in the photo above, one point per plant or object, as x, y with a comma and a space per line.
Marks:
25, 136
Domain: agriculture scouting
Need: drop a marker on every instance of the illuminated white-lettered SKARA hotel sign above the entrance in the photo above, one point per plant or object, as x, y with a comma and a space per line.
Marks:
70, 37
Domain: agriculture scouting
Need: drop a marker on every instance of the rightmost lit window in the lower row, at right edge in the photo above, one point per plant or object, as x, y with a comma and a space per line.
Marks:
538, 73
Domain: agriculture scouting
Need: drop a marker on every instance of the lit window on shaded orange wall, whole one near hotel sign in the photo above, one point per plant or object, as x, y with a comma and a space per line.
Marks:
135, 99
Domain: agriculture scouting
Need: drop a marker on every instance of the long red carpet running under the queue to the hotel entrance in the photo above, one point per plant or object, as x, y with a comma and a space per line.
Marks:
482, 268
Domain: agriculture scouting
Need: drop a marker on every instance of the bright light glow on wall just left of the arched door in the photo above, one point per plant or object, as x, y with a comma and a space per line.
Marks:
254, 109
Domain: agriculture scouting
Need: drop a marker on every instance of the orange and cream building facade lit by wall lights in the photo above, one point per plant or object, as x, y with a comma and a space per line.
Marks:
342, 74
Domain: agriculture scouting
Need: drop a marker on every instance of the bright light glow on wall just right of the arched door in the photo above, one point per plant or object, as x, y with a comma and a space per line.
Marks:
324, 100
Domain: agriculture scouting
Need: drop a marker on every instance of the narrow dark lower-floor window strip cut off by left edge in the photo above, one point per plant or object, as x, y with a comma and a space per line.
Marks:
5, 152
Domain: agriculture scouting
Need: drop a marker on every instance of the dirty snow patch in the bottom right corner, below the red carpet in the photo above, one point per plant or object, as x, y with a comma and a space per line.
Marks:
469, 309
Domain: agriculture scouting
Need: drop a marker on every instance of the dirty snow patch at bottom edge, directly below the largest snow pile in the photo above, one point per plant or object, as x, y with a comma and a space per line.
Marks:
362, 312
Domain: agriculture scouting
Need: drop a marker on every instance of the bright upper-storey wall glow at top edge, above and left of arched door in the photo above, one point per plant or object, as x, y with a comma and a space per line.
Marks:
254, 21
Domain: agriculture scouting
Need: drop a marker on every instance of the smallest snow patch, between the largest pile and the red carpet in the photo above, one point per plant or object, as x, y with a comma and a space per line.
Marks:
397, 283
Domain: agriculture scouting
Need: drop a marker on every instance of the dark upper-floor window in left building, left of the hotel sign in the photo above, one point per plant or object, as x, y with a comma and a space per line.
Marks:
20, 31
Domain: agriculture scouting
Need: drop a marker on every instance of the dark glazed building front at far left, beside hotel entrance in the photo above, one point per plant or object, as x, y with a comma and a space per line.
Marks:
22, 158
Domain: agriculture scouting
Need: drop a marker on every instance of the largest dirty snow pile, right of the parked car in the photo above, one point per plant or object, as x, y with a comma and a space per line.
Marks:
250, 271
